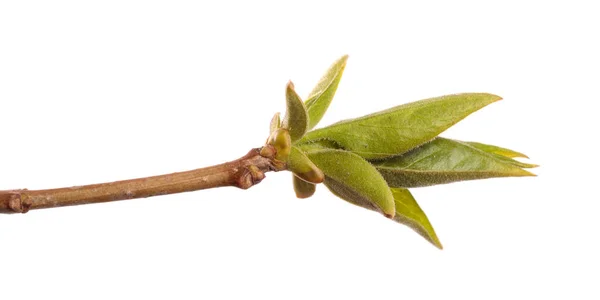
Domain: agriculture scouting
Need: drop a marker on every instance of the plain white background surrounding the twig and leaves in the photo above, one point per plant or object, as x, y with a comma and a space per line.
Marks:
94, 92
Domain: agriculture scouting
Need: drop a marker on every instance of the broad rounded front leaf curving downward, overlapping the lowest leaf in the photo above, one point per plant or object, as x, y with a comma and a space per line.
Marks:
355, 176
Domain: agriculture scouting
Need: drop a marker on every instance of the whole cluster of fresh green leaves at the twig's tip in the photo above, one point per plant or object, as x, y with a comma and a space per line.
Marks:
371, 161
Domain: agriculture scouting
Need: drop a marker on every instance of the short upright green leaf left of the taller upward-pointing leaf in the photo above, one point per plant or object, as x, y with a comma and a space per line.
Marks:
296, 115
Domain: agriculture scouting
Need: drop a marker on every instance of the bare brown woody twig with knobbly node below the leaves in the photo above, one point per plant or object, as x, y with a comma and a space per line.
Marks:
243, 173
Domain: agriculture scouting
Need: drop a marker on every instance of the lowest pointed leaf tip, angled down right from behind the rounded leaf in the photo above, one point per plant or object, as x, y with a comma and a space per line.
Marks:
410, 214
